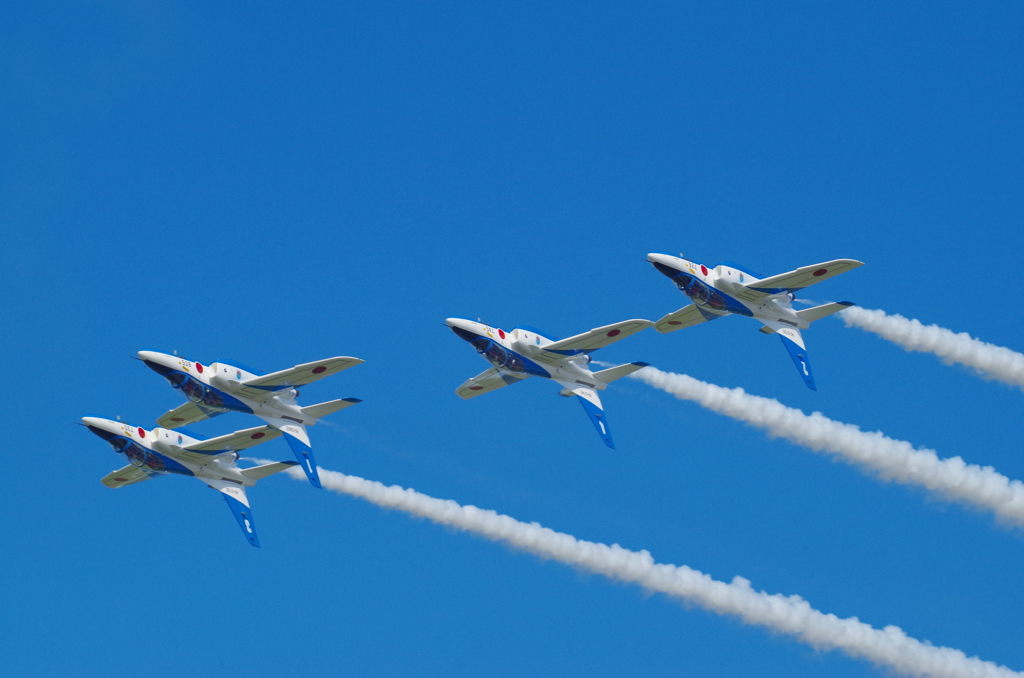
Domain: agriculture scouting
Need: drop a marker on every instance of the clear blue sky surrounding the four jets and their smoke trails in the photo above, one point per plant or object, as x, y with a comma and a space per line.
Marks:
282, 185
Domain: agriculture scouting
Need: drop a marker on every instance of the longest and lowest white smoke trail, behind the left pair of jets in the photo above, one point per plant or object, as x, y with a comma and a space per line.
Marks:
889, 648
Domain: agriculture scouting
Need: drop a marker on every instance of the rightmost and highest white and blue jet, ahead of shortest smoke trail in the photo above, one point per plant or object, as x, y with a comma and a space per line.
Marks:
729, 289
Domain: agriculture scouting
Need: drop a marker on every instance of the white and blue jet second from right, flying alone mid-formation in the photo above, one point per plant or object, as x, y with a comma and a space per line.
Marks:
525, 353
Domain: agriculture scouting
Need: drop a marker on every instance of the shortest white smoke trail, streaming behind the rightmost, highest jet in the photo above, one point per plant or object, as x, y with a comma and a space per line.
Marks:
989, 360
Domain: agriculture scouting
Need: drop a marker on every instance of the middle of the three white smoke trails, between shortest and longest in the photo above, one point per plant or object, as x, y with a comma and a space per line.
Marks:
891, 459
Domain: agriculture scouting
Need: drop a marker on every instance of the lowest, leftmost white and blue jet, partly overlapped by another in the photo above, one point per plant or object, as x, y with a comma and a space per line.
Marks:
161, 452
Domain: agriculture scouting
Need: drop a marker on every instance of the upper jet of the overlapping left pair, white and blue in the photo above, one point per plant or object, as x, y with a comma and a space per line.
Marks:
225, 387
